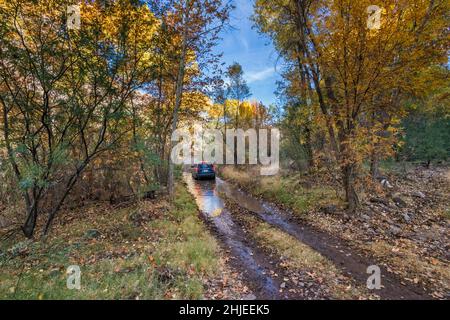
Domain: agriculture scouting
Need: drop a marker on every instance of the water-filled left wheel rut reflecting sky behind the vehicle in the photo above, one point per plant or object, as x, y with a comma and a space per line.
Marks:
251, 262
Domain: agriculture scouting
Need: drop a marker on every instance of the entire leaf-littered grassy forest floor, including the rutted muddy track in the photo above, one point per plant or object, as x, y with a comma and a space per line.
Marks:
304, 247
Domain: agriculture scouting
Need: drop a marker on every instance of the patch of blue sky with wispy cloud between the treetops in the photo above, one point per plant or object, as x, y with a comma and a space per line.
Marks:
253, 51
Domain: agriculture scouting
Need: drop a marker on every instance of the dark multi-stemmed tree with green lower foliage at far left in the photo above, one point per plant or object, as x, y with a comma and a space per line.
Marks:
64, 93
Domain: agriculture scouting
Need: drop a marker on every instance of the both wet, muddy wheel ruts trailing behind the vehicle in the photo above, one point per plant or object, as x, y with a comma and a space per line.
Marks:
209, 196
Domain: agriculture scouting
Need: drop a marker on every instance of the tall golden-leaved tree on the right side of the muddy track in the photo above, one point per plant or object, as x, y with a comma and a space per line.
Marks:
357, 72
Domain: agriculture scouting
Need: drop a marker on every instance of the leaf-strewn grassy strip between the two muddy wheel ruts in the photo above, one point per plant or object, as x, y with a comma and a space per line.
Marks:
303, 272
